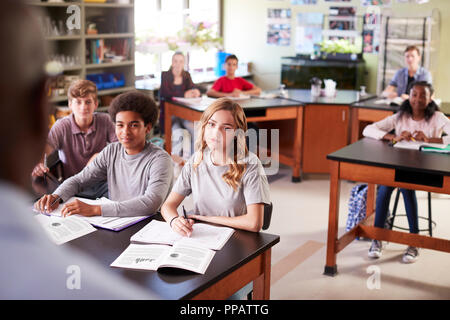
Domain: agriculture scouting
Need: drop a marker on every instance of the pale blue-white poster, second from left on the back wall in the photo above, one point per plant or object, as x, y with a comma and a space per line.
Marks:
308, 32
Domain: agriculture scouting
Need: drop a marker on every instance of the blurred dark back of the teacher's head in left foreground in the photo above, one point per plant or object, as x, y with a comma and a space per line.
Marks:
23, 106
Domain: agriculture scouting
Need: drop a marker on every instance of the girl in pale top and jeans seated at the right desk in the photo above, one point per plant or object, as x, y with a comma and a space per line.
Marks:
418, 119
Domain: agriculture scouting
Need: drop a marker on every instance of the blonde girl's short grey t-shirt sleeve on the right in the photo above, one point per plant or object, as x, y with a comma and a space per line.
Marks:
255, 185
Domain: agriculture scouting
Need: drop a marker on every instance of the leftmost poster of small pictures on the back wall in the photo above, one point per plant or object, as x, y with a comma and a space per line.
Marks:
279, 27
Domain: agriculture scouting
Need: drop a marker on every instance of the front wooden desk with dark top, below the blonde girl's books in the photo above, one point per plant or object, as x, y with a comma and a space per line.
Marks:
245, 257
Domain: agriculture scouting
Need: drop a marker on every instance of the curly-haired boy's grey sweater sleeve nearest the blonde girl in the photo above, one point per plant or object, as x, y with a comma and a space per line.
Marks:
158, 187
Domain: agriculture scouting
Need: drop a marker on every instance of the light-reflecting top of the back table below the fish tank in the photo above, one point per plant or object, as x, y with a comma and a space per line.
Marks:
343, 97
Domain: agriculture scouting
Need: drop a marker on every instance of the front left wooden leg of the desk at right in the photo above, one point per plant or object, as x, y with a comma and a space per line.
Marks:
333, 220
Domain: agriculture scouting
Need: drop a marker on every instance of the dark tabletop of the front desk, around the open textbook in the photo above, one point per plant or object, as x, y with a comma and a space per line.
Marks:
171, 283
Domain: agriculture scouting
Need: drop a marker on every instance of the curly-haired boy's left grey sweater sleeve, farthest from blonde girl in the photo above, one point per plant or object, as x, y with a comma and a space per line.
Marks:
96, 171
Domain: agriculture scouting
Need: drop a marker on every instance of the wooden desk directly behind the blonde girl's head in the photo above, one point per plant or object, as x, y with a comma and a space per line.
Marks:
285, 115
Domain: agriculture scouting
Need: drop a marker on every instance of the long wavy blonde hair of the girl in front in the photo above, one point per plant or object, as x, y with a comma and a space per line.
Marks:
236, 168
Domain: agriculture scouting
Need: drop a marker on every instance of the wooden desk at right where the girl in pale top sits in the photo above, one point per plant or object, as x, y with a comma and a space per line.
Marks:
375, 162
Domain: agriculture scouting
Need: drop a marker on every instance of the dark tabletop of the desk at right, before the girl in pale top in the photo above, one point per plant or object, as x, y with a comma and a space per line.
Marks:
378, 153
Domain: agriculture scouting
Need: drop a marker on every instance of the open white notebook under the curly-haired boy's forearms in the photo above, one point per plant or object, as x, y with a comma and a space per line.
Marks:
109, 223
